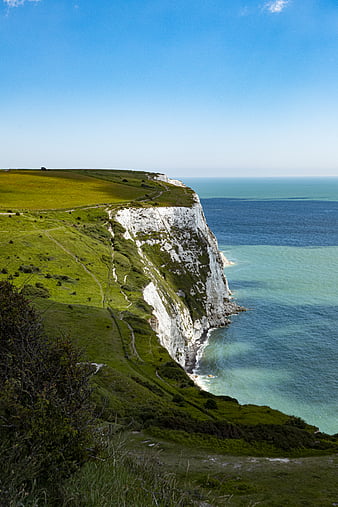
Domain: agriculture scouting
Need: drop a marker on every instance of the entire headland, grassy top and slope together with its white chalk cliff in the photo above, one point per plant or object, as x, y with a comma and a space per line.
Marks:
119, 252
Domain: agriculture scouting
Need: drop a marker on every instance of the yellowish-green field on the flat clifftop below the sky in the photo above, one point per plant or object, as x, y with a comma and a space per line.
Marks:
62, 189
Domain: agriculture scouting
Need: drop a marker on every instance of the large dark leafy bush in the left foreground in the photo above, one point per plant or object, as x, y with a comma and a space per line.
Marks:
44, 401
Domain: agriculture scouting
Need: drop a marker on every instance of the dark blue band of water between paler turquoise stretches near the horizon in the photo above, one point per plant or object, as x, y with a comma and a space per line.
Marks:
276, 222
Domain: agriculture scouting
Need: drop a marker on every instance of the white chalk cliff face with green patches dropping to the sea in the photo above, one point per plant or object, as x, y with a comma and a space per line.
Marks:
188, 291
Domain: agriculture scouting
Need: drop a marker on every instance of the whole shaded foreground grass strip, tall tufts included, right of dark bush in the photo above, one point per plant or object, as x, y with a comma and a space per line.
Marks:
137, 464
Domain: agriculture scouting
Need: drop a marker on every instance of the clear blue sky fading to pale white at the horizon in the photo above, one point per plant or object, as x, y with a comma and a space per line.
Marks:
191, 88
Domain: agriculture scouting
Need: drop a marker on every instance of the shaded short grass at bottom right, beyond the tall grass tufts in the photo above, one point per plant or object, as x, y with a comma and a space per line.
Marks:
227, 479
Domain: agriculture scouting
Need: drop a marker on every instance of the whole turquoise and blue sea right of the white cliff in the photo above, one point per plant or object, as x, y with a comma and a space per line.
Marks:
281, 234
